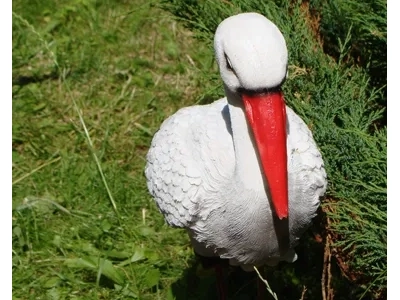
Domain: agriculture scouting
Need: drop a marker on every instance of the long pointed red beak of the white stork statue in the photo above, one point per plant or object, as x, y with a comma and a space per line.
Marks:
266, 114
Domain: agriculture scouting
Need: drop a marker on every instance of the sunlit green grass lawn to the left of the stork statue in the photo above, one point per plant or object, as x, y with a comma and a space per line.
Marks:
127, 66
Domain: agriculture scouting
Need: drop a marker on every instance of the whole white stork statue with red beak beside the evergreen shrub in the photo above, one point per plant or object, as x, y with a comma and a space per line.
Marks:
242, 175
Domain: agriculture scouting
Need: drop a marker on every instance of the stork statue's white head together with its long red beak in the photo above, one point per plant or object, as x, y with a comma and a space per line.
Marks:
252, 58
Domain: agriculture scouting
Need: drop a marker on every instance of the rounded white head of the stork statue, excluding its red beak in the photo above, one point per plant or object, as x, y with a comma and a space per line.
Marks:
251, 53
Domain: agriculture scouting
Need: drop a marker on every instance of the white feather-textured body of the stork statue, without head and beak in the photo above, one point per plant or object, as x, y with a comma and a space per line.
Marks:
204, 174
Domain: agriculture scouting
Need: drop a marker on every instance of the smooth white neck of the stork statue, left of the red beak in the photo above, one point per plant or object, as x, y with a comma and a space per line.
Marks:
247, 167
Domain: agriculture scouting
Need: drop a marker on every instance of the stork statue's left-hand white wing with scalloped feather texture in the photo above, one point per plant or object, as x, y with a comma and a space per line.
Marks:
184, 154
